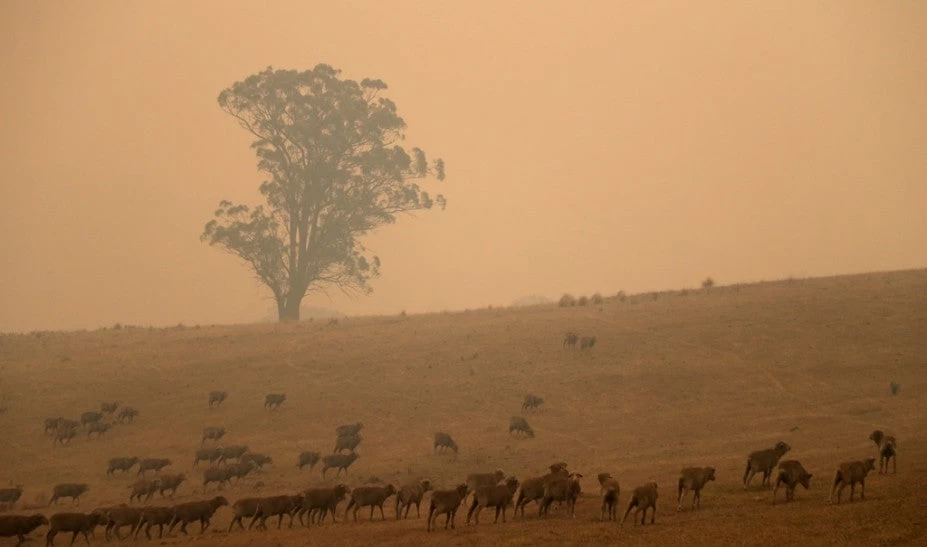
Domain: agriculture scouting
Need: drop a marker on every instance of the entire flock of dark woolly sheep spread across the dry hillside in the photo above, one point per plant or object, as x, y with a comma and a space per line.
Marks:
494, 490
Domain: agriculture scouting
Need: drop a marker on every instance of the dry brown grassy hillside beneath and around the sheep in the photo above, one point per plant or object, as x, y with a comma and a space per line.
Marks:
694, 379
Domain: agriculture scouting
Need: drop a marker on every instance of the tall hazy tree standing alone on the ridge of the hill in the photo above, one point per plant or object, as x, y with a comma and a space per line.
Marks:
329, 149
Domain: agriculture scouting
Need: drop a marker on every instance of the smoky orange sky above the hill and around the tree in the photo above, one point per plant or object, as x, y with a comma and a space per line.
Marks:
617, 145
